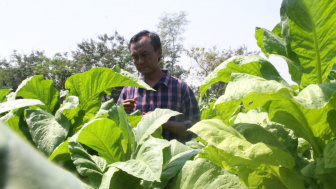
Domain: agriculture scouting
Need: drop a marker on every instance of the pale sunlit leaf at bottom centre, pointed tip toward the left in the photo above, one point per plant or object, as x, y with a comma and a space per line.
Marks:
147, 160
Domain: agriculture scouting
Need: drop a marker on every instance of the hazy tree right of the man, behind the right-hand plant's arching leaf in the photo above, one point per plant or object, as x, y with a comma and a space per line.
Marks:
206, 60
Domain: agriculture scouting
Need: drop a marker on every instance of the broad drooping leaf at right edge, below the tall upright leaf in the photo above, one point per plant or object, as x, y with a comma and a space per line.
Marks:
312, 119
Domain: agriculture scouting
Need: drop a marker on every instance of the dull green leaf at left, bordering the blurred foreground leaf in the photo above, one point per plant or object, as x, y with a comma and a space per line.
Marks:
46, 130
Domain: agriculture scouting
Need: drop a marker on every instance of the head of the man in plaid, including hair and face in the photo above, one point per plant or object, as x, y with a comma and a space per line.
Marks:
145, 48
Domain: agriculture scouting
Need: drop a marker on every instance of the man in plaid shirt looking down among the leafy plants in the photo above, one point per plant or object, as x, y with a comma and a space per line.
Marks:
171, 93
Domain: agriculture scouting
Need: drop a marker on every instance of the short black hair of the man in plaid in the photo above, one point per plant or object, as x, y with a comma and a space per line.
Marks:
154, 39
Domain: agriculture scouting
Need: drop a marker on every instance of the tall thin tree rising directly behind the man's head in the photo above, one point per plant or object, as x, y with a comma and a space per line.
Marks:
171, 28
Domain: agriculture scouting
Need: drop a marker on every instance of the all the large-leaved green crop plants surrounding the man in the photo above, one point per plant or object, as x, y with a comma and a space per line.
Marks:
262, 133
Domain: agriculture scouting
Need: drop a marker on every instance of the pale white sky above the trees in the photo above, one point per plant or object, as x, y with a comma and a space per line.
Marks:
59, 25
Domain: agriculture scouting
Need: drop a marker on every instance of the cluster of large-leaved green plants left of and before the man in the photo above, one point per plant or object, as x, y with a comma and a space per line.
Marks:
93, 139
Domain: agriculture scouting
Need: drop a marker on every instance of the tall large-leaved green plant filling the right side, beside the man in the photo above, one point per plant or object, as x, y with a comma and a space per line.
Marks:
260, 118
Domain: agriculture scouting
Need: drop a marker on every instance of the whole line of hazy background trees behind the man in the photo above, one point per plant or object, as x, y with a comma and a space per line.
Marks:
108, 50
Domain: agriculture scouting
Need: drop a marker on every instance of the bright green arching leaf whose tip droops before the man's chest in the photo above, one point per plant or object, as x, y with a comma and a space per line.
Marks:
92, 85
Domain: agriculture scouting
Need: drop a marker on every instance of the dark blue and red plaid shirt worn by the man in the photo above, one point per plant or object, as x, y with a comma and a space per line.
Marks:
171, 93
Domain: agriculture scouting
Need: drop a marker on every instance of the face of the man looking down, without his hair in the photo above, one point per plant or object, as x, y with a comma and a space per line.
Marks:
145, 58
